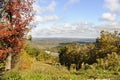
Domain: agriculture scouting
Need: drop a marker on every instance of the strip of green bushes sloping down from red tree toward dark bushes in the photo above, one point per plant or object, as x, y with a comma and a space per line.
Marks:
40, 55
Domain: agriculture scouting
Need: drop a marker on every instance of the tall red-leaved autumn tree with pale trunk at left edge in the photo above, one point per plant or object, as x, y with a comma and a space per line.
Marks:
15, 16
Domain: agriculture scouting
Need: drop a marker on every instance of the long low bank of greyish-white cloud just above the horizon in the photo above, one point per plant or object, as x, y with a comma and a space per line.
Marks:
66, 30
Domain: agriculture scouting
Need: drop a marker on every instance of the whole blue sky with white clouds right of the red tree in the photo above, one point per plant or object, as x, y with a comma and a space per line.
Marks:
75, 18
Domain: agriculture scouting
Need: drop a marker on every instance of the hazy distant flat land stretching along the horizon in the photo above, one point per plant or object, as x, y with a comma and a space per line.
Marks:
48, 43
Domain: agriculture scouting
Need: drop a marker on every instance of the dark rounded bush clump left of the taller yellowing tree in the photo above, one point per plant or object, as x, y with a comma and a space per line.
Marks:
76, 54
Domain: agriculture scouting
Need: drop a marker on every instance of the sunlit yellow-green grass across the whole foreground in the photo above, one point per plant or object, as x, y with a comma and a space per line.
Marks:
42, 71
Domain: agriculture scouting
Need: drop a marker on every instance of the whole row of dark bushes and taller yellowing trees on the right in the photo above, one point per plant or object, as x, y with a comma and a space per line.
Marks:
104, 53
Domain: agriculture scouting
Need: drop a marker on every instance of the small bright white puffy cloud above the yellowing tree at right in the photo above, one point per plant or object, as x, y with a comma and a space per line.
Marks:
108, 17
